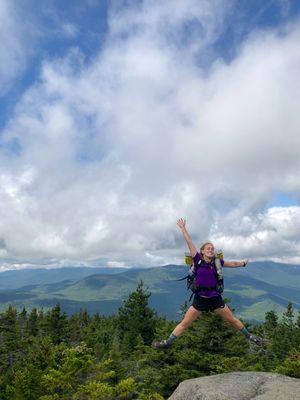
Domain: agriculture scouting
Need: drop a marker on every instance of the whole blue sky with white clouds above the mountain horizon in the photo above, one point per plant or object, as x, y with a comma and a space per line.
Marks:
119, 117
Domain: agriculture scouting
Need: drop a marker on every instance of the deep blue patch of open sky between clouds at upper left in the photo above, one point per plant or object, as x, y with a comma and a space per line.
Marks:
87, 19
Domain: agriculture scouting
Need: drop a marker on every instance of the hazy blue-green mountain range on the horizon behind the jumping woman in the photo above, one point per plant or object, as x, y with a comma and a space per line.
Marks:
253, 290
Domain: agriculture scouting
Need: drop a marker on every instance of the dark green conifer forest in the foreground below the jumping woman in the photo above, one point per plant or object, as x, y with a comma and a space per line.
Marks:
49, 356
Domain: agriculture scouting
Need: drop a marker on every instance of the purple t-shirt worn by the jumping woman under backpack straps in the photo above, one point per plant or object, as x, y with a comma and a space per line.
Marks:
206, 276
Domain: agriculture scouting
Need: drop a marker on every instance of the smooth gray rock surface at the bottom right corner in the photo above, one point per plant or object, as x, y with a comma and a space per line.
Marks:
239, 386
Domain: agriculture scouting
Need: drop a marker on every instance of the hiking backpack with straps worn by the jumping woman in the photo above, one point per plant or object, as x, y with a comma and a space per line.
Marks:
191, 277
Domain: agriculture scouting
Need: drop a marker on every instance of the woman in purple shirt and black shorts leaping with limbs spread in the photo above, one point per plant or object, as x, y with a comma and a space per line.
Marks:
207, 298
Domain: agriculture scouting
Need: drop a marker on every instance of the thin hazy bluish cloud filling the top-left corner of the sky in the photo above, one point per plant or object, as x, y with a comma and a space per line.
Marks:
24, 29
